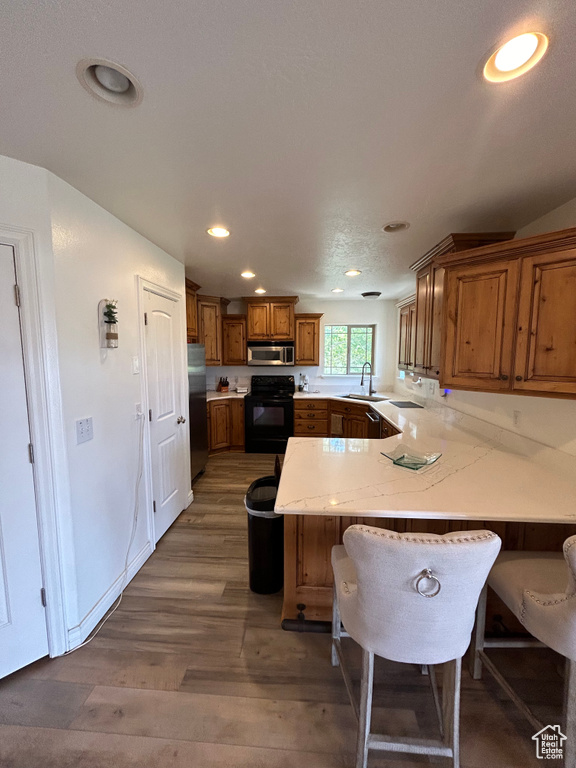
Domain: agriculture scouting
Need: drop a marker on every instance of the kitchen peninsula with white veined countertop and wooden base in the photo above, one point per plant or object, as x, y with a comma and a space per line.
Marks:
486, 477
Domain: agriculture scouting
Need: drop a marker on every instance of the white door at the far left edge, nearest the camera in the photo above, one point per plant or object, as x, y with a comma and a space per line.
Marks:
23, 636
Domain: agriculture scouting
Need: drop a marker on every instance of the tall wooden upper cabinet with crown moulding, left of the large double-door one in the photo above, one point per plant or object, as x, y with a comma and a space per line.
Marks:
426, 329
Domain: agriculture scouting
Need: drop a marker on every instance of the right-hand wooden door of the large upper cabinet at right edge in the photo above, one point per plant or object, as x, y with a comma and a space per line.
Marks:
546, 341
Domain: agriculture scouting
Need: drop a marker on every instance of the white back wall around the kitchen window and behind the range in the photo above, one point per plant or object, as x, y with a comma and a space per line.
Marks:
380, 313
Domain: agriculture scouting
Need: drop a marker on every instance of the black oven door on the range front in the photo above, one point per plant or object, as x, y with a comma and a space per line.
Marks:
269, 423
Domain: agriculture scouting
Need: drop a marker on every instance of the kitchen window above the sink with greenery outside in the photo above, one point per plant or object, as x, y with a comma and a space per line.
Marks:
347, 348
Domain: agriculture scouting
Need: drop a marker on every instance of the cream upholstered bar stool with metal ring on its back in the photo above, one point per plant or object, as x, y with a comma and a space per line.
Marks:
409, 597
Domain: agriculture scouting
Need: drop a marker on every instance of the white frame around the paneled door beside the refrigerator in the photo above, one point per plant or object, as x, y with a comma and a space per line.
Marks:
143, 284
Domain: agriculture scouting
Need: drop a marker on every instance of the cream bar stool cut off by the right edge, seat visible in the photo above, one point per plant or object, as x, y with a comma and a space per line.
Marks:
540, 590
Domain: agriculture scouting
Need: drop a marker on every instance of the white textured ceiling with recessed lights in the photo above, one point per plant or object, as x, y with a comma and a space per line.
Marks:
301, 125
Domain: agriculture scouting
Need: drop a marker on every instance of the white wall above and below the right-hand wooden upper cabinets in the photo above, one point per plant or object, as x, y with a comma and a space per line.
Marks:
548, 420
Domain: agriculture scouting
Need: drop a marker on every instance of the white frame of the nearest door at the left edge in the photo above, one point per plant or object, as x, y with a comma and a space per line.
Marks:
39, 346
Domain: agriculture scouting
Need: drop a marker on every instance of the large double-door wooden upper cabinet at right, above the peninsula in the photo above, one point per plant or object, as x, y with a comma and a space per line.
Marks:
510, 317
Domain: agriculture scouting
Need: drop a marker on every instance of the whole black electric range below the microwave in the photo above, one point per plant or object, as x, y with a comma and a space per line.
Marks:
269, 414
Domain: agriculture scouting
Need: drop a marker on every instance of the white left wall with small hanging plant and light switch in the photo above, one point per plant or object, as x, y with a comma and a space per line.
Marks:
95, 257
